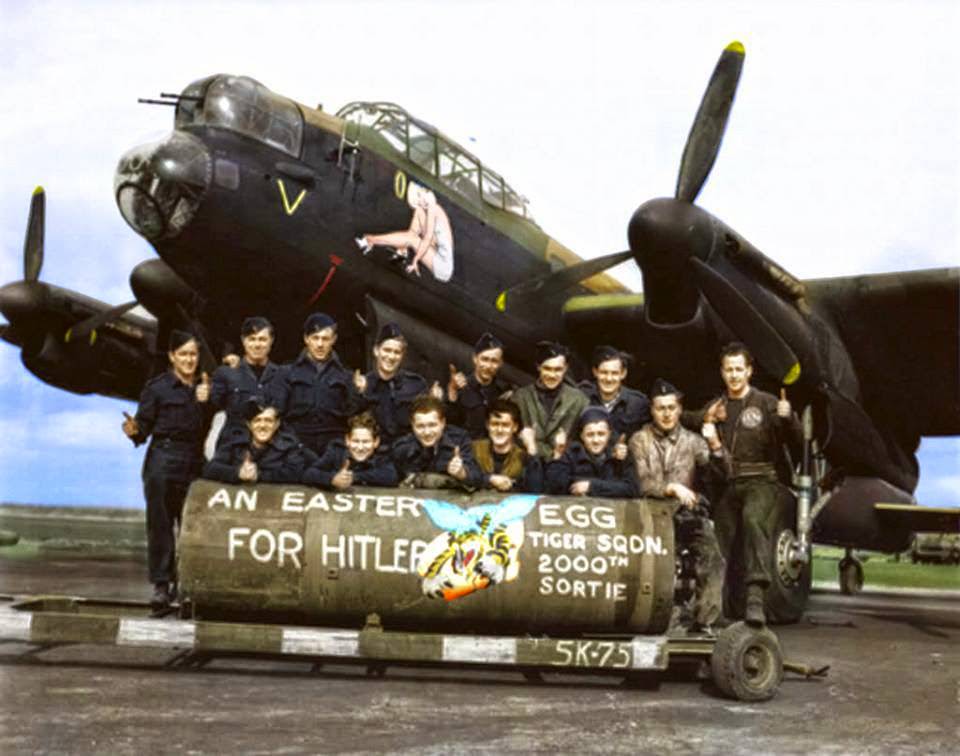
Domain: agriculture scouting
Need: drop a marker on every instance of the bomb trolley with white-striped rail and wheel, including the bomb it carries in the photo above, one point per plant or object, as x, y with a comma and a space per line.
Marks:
531, 583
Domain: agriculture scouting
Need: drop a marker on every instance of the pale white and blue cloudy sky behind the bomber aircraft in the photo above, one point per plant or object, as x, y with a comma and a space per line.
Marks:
841, 155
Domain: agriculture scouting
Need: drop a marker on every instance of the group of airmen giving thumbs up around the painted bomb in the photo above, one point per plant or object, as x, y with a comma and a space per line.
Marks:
317, 423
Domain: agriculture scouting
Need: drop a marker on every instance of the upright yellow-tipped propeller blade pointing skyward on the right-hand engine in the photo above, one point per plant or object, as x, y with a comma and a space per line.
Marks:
703, 142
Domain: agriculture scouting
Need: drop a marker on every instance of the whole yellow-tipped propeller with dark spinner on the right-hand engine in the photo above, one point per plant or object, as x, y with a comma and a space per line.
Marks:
680, 249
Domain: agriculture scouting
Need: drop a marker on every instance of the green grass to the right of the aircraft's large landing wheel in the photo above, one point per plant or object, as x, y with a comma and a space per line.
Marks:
883, 571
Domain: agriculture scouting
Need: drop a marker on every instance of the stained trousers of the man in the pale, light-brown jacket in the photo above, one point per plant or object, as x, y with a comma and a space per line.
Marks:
695, 532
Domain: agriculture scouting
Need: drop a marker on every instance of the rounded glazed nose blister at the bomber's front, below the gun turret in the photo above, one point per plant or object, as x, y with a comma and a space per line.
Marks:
159, 186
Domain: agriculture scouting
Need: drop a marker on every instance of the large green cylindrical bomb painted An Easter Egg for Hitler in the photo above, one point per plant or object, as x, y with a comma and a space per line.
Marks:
427, 560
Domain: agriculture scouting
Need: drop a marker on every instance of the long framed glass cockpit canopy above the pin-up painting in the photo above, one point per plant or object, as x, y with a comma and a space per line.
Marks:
433, 151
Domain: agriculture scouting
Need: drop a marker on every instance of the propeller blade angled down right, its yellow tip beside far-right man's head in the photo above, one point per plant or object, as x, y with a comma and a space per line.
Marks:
773, 353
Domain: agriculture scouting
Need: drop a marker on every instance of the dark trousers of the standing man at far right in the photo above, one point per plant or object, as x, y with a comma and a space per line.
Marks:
749, 508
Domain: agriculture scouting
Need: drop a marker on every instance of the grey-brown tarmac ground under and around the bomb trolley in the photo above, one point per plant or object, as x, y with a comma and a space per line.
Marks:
893, 687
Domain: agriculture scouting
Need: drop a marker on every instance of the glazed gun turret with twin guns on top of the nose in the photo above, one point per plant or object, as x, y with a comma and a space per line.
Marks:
240, 104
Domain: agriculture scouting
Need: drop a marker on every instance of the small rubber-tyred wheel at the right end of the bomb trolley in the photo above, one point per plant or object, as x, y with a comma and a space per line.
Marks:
747, 664
